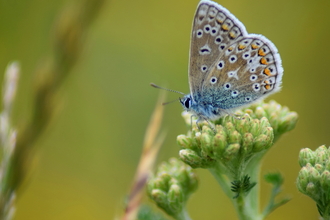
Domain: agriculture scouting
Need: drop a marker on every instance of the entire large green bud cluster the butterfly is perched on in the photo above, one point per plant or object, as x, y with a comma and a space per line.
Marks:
234, 141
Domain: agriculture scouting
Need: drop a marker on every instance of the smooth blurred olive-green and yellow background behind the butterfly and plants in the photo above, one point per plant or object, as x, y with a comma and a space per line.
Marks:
85, 161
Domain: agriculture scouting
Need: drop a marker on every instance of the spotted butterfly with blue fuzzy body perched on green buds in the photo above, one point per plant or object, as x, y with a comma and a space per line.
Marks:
228, 67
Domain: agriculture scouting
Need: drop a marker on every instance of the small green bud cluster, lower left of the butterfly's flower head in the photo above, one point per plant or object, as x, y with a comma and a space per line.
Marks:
170, 188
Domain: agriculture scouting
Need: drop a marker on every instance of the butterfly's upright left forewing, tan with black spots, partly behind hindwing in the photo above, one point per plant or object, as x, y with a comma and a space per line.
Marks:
208, 40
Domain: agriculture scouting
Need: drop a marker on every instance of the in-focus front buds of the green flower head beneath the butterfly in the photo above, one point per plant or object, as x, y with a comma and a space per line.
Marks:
234, 142
